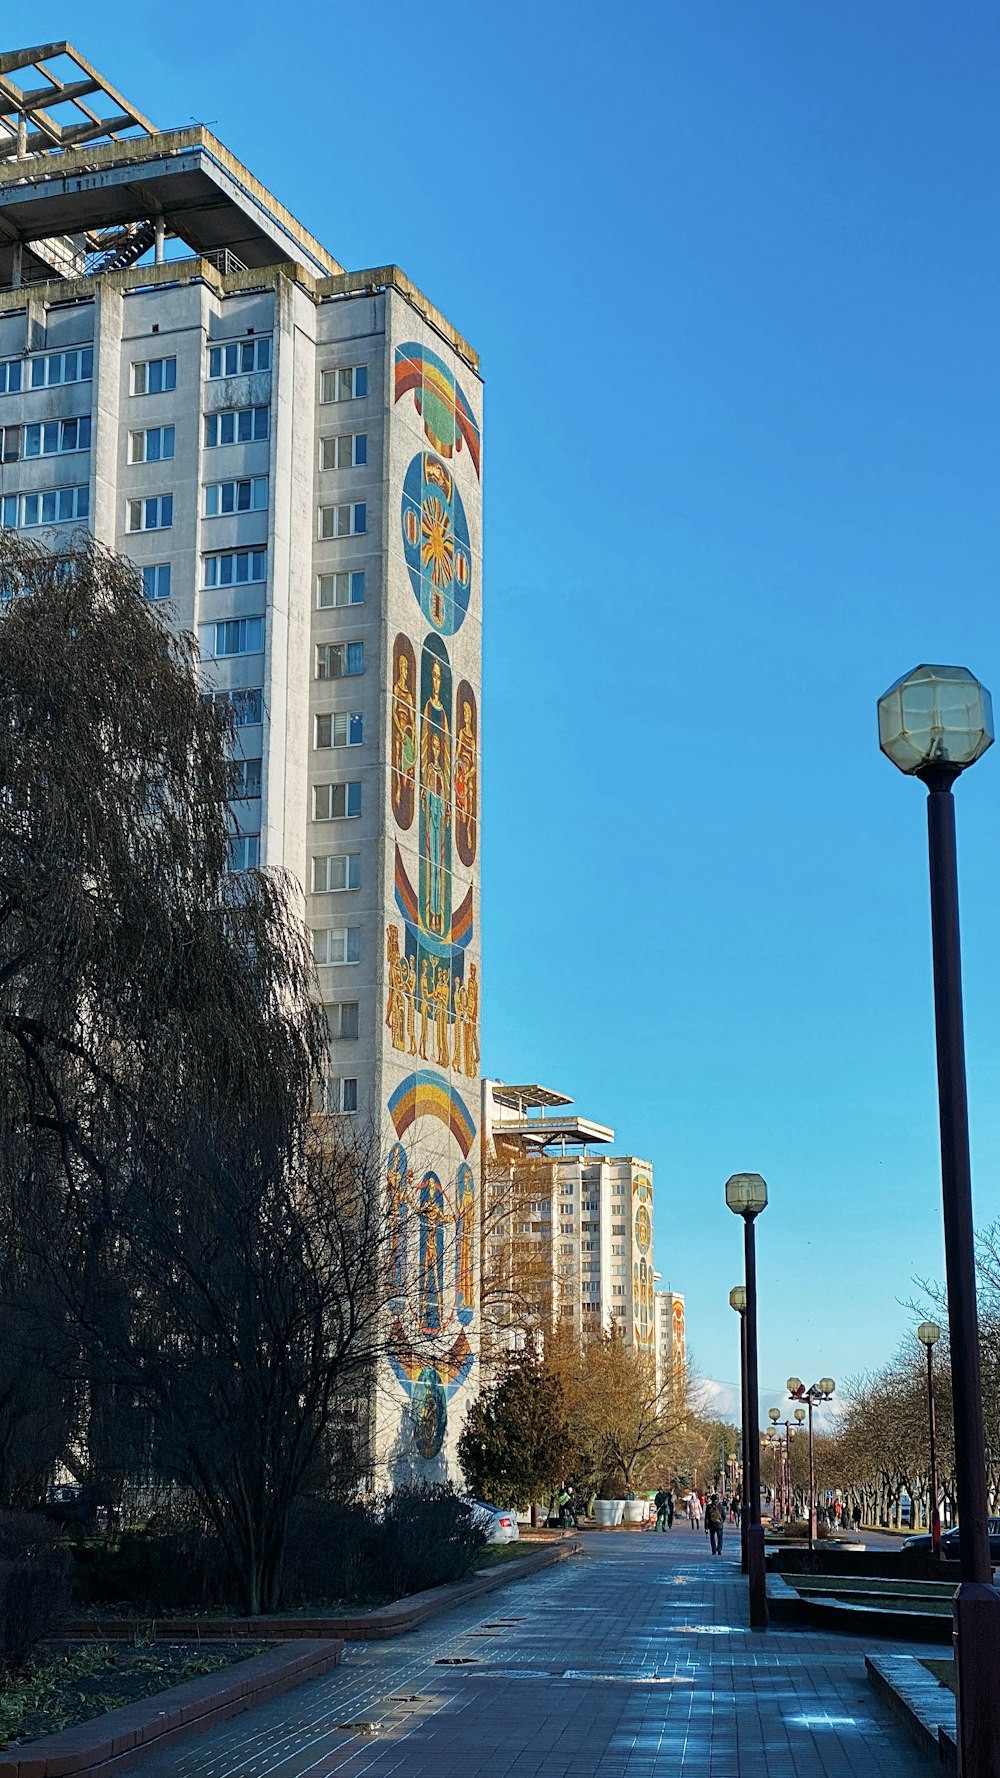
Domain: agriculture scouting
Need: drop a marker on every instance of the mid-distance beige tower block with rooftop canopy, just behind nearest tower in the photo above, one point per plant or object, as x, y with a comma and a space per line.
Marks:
569, 1235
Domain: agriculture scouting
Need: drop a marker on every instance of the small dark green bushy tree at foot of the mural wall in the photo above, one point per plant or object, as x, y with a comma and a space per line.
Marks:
515, 1445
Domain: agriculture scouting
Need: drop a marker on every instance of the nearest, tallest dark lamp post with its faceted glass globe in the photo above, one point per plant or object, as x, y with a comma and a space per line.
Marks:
933, 725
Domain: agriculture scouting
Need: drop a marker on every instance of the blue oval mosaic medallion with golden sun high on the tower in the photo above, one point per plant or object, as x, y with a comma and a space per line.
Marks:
435, 540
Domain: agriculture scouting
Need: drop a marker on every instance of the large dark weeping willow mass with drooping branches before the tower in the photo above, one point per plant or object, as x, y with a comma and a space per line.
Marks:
209, 1254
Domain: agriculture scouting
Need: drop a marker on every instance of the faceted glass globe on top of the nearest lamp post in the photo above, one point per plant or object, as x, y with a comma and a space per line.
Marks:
935, 716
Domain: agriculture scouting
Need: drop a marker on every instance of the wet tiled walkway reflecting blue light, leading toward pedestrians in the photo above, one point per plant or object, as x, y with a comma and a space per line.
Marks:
629, 1662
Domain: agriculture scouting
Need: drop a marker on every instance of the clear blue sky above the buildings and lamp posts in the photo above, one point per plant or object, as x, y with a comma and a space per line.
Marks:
732, 268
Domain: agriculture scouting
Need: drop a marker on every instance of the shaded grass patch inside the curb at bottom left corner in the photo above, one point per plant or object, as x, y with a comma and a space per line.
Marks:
61, 1690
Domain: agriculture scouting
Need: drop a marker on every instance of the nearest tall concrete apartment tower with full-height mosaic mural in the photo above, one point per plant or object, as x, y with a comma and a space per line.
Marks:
291, 454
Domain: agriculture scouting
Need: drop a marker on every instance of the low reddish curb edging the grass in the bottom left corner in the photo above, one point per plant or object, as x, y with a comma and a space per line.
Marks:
115, 1742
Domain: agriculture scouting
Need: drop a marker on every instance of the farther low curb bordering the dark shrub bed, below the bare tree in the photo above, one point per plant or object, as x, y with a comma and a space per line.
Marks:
366, 1626
